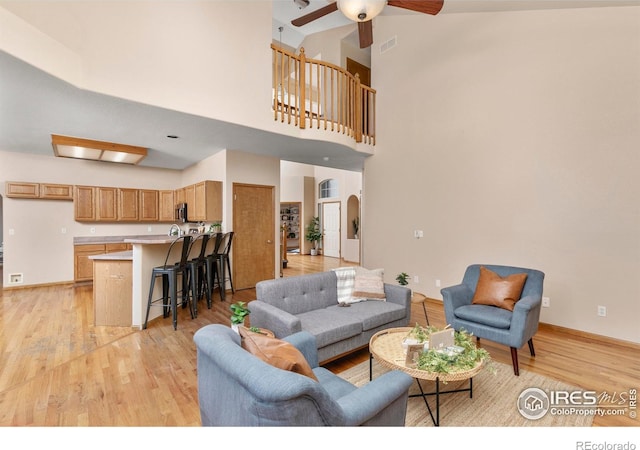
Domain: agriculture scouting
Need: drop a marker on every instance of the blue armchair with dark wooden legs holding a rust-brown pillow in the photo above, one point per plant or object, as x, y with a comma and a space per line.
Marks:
511, 328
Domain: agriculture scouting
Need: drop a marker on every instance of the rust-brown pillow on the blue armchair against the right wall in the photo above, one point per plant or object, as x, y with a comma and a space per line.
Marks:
495, 290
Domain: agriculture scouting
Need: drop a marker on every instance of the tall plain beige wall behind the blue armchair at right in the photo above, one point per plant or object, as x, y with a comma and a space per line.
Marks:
512, 138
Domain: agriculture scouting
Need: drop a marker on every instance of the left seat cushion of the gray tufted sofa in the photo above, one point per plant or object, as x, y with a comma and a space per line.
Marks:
329, 325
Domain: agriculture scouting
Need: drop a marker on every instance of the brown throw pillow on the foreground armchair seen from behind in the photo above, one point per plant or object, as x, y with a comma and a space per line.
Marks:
276, 352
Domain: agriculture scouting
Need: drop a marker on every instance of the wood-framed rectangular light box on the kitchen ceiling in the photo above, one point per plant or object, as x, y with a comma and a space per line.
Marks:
70, 147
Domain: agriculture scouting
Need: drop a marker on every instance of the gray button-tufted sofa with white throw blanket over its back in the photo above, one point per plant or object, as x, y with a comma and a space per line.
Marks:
310, 302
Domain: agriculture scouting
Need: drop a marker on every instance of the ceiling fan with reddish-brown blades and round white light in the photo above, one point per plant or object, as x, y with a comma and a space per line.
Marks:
363, 11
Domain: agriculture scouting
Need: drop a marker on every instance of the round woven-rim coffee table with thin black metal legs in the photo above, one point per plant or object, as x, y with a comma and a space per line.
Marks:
386, 347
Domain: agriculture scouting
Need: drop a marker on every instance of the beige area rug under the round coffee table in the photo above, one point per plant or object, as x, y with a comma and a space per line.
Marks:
494, 402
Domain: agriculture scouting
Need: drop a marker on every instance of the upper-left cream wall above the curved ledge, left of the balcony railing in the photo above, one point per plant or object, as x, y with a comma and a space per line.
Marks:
141, 51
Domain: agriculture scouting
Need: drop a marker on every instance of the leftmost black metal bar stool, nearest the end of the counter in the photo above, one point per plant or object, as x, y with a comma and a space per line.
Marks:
169, 273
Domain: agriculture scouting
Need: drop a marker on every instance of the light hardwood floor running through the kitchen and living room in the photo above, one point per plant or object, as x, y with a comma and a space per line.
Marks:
58, 369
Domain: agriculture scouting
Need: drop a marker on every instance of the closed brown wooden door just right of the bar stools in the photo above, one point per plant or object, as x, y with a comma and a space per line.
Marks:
253, 252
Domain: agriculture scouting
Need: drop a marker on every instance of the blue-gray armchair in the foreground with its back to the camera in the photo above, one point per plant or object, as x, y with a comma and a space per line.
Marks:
235, 388
